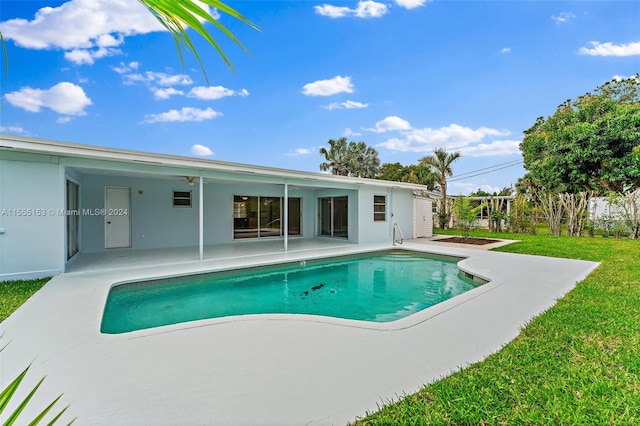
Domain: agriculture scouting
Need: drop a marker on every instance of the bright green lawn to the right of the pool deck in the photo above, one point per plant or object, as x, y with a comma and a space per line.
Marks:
578, 363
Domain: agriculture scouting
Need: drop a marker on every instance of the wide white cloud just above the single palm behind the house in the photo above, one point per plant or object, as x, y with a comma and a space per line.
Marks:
452, 136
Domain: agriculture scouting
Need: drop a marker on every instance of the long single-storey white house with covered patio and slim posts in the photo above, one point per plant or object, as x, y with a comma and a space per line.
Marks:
59, 200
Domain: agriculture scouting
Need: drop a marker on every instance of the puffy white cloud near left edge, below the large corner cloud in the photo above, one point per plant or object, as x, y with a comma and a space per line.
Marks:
63, 98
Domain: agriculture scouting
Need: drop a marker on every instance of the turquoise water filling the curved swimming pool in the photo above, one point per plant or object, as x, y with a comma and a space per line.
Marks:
377, 287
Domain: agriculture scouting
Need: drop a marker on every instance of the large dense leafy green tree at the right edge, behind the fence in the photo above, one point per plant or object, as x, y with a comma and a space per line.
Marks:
588, 144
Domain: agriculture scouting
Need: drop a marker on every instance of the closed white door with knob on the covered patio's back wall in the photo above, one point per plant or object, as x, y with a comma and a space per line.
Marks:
117, 218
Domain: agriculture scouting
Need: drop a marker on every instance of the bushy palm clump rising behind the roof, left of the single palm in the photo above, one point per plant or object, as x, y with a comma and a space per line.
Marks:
350, 159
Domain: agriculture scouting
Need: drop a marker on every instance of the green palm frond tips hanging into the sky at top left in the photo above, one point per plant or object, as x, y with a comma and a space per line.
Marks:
178, 15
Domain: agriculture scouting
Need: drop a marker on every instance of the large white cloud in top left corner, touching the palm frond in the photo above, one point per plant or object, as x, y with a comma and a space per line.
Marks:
79, 26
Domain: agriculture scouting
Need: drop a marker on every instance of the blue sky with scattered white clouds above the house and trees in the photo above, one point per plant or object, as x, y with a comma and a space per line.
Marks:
405, 76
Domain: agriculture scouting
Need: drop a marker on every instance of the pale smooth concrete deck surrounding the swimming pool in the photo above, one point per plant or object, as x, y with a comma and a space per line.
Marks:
262, 370
